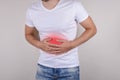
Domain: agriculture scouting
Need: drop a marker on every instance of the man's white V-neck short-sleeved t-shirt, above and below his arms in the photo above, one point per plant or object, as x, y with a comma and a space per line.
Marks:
61, 20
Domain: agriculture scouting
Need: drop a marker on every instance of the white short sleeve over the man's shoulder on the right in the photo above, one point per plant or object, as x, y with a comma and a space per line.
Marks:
80, 12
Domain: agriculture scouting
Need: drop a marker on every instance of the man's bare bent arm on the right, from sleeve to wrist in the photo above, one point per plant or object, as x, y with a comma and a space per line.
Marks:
90, 31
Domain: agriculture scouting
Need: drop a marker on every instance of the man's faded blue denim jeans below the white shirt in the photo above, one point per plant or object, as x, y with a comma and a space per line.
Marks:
47, 73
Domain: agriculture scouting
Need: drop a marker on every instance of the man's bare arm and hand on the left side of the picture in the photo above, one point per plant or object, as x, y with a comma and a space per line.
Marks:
31, 35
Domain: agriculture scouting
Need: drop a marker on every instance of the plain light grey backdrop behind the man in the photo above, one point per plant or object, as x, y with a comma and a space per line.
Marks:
99, 57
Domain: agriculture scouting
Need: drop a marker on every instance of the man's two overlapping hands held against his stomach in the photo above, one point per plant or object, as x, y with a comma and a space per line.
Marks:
54, 48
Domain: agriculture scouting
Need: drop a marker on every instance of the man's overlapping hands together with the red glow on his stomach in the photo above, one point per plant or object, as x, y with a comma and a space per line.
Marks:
56, 44
